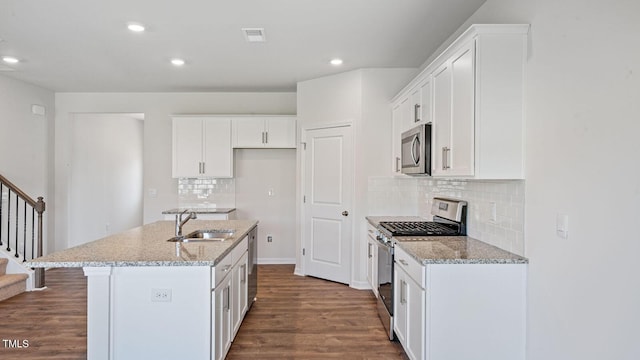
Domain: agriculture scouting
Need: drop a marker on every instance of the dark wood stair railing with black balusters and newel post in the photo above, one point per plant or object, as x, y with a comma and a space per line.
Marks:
18, 216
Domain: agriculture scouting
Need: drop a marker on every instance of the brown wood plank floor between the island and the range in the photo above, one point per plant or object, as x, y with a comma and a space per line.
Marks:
307, 318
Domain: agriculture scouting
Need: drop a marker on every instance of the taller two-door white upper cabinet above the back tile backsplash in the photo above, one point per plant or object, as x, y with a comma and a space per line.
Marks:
202, 147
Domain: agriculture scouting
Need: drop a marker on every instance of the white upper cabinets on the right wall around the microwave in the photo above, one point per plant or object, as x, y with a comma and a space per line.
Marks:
473, 94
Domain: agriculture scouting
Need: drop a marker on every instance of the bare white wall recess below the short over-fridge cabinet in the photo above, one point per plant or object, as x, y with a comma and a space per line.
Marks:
265, 190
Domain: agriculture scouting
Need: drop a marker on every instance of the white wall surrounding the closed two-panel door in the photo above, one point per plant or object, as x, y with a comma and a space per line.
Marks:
360, 98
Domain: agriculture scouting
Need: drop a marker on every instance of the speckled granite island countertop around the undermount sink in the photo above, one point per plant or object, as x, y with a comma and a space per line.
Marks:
147, 245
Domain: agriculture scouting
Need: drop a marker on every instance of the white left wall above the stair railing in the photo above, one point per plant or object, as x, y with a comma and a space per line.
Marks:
25, 141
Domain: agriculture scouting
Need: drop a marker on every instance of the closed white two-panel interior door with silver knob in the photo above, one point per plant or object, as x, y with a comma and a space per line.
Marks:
327, 190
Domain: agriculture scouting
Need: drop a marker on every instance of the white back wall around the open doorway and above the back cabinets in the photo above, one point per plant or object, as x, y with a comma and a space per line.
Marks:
157, 108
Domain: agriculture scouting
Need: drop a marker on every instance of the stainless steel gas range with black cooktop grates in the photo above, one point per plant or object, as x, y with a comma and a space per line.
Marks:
449, 219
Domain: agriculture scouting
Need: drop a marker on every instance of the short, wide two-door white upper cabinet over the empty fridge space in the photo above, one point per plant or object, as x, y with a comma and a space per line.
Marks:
264, 132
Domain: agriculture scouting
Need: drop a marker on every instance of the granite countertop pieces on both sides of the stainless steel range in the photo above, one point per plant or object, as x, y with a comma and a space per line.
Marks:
448, 249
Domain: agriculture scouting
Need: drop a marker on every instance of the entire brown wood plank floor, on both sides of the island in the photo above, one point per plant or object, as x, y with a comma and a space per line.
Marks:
294, 318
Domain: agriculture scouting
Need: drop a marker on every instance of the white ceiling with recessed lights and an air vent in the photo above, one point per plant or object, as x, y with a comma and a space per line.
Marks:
85, 46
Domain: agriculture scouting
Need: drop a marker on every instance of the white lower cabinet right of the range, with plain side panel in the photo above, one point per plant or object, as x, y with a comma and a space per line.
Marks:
459, 311
